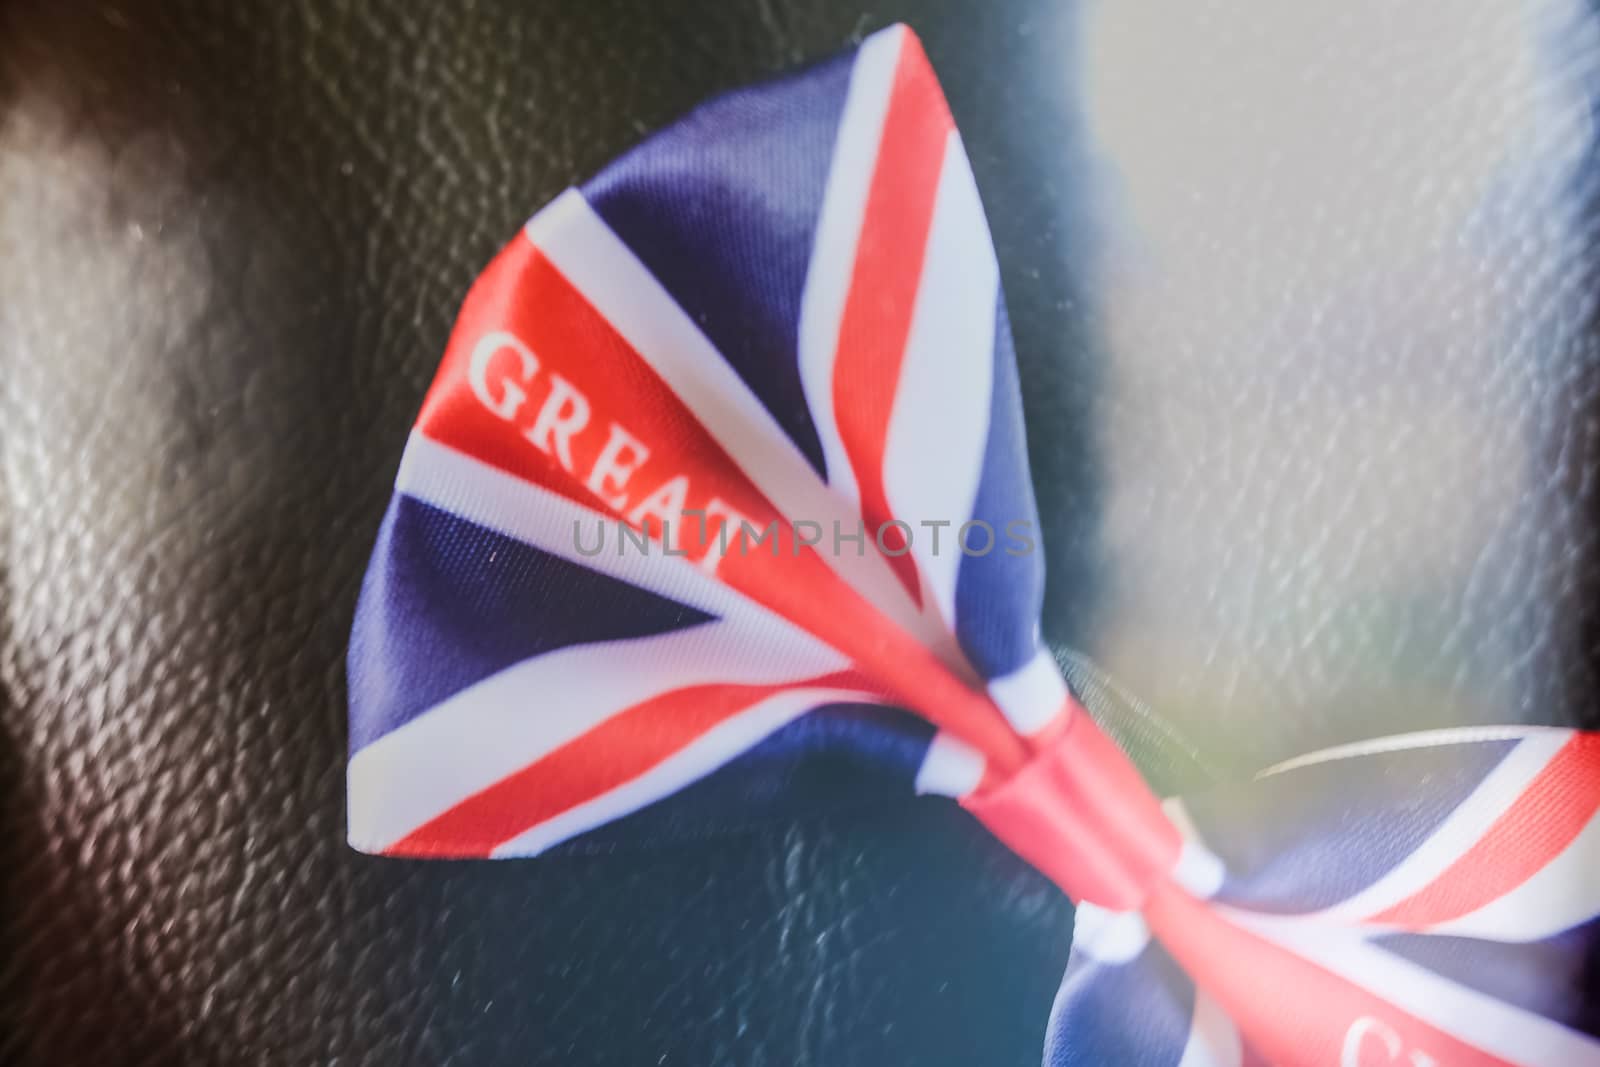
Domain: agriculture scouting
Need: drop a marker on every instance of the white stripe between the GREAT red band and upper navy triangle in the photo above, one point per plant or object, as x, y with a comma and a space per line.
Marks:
623, 290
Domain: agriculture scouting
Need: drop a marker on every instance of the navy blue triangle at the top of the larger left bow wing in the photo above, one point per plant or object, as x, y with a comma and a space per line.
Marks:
722, 209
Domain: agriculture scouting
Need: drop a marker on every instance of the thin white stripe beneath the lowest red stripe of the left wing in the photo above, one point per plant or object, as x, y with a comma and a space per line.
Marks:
706, 754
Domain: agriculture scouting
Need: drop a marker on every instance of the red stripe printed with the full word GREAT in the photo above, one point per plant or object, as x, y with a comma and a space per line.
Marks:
524, 294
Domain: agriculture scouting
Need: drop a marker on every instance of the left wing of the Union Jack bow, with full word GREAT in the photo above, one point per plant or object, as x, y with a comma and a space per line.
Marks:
524, 671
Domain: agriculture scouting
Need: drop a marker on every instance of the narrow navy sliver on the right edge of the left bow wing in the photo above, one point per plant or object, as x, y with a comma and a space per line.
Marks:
999, 596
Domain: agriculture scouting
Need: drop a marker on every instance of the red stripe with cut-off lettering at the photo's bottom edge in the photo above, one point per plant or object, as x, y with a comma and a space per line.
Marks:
1289, 1009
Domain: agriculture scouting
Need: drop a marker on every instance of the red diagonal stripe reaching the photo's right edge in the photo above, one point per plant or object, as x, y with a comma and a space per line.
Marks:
1538, 826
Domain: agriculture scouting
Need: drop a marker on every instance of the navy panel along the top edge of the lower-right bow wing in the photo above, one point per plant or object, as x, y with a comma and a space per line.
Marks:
1306, 839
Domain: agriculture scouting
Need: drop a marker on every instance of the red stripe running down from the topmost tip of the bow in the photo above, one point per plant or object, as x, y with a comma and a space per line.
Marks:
884, 287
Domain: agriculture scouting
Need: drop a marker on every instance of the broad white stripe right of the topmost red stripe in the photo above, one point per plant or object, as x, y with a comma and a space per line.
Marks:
938, 431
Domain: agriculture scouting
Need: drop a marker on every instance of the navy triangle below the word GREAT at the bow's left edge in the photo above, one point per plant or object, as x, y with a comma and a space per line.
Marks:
447, 604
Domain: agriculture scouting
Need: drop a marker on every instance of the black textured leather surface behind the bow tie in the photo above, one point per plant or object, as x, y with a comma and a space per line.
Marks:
1305, 316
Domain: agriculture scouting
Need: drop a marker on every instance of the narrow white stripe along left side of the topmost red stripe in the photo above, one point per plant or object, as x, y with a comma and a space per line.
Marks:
838, 231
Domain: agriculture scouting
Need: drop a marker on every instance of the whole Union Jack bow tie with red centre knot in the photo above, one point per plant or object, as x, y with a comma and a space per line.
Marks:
724, 474
